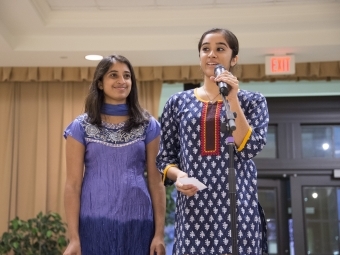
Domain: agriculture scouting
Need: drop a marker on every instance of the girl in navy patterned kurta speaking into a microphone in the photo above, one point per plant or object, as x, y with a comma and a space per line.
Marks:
192, 145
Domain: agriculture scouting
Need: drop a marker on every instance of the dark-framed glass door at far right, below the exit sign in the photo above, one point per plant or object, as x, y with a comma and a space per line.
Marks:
316, 215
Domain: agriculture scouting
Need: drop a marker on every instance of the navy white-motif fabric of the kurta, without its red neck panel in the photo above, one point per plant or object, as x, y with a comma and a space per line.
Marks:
203, 221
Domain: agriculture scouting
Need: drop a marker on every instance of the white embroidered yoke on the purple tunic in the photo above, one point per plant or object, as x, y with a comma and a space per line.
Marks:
107, 137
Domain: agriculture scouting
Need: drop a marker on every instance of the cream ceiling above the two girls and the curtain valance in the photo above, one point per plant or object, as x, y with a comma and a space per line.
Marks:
164, 32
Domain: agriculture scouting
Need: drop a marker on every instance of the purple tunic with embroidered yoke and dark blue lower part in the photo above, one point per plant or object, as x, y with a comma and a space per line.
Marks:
116, 216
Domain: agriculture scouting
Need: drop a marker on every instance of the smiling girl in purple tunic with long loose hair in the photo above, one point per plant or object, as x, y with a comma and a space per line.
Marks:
111, 208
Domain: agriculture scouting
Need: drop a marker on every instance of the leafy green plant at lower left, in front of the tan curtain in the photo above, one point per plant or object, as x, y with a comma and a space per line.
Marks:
42, 235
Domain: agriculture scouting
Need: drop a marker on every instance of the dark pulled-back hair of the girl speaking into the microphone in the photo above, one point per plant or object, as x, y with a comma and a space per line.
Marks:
229, 36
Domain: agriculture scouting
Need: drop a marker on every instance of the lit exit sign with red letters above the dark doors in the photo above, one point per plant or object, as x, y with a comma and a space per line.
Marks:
277, 65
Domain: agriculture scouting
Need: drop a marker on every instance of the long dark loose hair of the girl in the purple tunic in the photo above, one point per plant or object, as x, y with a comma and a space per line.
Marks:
95, 98
